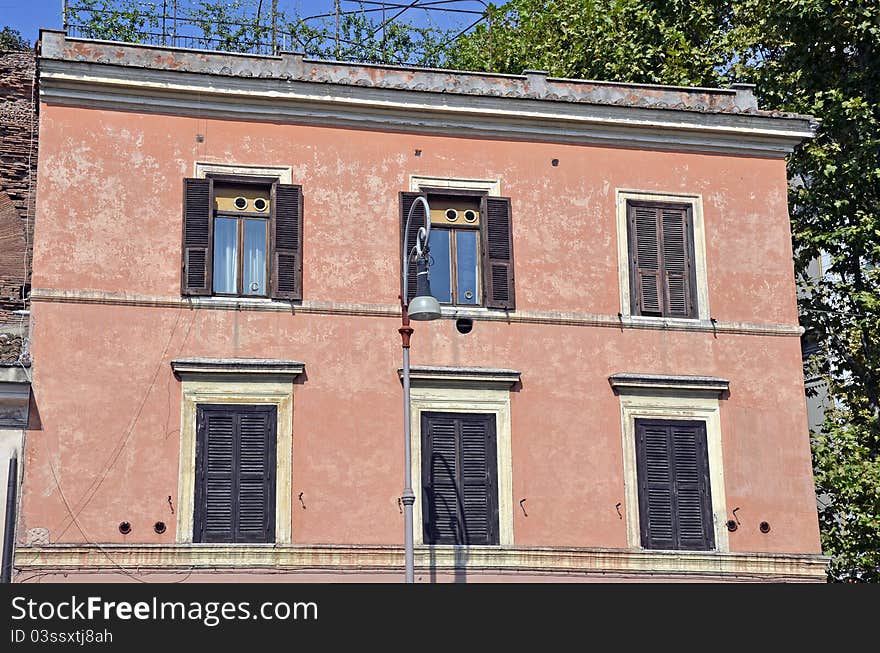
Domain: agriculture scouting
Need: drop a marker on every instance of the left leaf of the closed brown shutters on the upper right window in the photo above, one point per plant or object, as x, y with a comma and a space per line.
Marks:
646, 261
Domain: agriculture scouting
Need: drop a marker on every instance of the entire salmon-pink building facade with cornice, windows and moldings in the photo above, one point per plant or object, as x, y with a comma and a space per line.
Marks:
573, 360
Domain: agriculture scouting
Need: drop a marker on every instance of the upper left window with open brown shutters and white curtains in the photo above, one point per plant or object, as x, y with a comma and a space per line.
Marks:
242, 237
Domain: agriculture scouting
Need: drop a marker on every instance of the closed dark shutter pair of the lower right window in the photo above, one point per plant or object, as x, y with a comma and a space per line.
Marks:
675, 503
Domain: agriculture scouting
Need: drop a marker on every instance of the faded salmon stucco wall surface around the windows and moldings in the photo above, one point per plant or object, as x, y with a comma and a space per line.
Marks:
109, 406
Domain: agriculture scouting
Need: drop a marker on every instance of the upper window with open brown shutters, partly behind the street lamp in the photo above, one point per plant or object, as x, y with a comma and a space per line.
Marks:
471, 247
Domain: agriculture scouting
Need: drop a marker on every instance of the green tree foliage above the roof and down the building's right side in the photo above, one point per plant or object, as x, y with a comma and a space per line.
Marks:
818, 57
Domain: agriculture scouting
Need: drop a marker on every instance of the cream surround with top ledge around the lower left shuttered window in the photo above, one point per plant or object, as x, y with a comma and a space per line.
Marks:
236, 381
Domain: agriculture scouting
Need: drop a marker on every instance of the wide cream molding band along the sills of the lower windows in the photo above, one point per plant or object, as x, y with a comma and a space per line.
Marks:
354, 559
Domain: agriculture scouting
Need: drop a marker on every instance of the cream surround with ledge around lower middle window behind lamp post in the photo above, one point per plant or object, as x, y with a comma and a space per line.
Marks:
464, 390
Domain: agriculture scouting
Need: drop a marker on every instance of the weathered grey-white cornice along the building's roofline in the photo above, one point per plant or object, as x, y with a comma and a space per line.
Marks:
290, 89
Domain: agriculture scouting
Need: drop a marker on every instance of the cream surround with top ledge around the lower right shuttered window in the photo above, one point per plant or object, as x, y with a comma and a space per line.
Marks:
671, 398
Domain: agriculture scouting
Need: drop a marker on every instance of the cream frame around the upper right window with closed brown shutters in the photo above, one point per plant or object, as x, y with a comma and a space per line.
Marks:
622, 197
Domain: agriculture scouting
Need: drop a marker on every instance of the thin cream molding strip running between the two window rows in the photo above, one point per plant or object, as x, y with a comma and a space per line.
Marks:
393, 310
